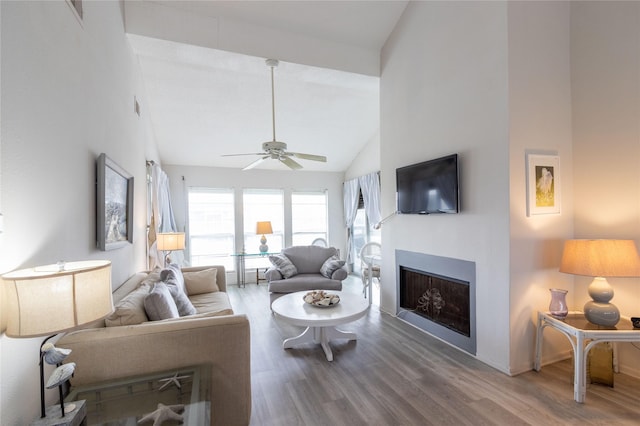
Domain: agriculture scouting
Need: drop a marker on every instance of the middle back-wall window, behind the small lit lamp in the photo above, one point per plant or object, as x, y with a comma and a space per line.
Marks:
260, 205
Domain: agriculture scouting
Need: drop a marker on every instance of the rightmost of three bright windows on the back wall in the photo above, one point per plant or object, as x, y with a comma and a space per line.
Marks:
308, 217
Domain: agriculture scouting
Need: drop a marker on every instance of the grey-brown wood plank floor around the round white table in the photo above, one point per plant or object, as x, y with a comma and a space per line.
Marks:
395, 374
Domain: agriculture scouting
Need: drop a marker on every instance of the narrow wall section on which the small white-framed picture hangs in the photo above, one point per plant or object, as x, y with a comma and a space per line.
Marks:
539, 122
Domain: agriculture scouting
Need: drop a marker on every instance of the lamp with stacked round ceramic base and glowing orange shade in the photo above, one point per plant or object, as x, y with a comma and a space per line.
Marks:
601, 259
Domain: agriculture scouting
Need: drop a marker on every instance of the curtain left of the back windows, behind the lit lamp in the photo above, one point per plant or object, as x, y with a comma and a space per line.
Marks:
161, 218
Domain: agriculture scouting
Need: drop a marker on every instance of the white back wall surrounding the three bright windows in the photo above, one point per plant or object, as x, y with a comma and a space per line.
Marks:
211, 177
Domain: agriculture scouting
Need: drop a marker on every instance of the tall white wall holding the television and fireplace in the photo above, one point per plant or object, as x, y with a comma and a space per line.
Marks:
444, 89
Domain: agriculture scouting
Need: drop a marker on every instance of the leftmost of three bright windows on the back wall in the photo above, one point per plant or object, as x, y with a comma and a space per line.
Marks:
211, 227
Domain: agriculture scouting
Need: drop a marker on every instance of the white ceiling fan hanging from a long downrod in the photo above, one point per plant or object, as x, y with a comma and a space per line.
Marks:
278, 150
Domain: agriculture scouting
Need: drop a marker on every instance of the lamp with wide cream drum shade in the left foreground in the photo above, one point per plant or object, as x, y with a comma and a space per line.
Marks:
52, 299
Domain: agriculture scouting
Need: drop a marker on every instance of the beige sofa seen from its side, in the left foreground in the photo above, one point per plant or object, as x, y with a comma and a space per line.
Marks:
213, 336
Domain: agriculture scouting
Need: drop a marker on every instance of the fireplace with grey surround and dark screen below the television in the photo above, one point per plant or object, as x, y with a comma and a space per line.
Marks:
437, 295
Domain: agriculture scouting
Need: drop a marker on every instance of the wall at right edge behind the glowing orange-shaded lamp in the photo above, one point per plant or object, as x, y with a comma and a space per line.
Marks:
605, 58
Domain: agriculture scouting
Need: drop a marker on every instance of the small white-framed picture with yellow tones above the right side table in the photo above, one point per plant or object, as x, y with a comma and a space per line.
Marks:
543, 184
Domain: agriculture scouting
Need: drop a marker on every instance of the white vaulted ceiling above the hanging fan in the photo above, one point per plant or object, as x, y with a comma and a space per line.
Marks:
208, 89
